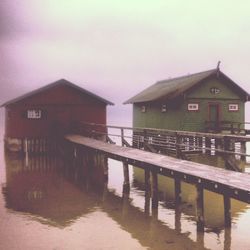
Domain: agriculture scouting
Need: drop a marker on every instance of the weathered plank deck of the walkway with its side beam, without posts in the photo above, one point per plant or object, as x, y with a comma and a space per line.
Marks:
236, 184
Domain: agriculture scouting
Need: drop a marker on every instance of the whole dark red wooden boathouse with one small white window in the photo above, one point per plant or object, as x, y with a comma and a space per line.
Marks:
51, 110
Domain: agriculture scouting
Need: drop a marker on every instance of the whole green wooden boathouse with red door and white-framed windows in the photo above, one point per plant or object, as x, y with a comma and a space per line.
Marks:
208, 101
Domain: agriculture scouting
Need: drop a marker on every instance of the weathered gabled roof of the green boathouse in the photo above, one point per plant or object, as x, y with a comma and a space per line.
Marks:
174, 87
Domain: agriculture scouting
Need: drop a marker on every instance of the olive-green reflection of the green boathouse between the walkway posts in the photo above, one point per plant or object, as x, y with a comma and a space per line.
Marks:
213, 215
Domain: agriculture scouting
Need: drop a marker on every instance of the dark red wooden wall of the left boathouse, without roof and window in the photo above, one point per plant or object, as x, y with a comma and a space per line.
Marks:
61, 106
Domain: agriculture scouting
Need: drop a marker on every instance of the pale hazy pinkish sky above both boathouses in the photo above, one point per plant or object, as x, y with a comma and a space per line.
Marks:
116, 48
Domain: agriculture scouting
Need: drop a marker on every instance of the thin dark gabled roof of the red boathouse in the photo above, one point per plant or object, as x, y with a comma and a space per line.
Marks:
52, 85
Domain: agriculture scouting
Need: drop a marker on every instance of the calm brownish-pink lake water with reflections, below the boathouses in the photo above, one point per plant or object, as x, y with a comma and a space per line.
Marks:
47, 204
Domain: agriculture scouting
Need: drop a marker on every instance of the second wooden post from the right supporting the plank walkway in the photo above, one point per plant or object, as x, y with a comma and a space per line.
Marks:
200, 208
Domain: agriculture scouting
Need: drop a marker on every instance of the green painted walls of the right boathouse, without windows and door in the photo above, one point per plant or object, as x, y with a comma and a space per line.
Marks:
178, 117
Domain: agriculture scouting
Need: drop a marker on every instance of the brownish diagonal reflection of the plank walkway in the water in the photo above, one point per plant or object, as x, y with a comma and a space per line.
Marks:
156, 234
